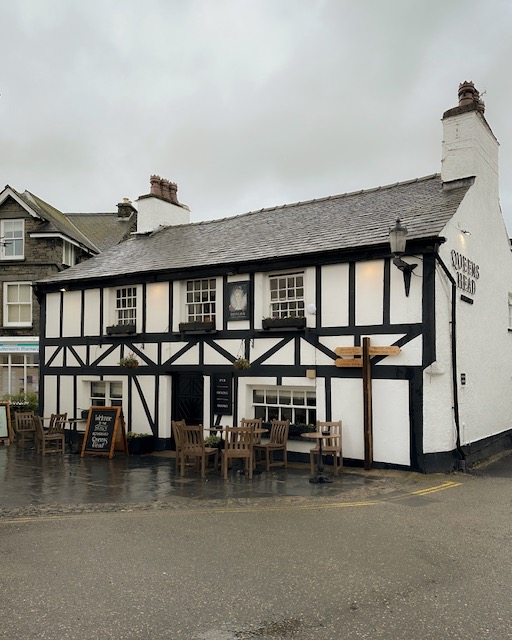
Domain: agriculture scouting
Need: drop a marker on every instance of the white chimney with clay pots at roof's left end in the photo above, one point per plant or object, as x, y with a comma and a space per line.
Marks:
160, 208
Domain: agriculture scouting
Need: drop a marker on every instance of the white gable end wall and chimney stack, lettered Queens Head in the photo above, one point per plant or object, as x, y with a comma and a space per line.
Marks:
484, 344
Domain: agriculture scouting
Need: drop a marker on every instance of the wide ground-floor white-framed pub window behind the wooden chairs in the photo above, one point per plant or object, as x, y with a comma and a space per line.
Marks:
285, 403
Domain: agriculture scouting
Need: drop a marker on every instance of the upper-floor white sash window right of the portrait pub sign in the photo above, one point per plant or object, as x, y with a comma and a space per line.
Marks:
286, 295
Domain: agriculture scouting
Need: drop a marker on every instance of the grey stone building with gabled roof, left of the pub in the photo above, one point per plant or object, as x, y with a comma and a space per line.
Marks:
37, 240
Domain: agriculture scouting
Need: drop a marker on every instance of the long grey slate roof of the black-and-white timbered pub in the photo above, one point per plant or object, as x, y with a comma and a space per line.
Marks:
336, 223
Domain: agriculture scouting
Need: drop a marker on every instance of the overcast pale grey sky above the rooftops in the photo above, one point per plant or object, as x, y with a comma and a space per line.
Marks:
244, 103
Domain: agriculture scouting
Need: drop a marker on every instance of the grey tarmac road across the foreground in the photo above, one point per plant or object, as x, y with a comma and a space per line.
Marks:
430, 562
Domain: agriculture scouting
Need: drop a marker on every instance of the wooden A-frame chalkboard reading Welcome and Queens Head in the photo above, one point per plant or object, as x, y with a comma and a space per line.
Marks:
104, 432
